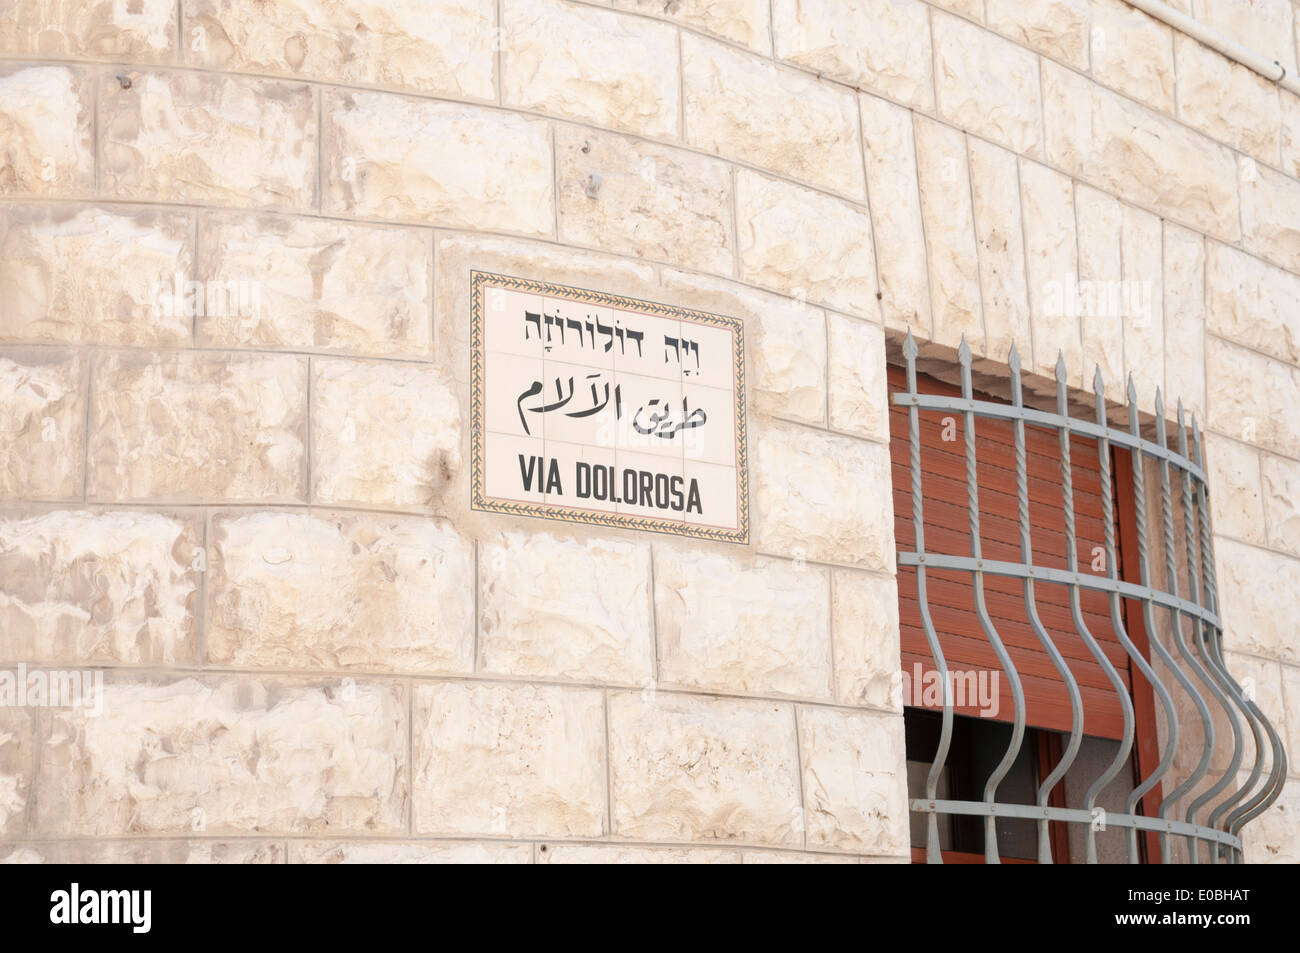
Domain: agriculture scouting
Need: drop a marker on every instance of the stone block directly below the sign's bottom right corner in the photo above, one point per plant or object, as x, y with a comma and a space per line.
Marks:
760, 629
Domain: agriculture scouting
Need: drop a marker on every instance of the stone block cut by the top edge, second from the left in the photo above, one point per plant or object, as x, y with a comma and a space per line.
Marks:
445, 46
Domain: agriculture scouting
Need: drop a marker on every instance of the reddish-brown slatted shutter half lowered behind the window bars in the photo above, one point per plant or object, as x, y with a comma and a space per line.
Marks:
952, 599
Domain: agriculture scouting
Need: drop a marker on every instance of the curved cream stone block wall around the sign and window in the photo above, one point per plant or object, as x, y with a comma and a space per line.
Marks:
261, 530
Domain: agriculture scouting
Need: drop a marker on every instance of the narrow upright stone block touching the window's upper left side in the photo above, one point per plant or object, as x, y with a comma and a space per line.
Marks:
860, 400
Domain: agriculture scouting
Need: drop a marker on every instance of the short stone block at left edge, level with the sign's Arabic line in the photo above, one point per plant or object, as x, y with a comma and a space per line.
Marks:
42, 424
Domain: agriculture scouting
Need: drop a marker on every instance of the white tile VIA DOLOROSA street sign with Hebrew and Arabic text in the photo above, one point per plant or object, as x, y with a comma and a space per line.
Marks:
608, 410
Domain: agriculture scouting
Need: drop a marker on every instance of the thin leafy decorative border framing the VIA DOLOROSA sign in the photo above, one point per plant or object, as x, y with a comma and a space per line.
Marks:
479, 283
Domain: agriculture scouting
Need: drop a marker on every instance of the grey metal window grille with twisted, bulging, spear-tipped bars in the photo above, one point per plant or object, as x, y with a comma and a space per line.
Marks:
1215, 818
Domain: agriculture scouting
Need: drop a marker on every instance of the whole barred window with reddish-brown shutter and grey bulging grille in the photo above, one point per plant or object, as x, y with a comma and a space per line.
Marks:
1039, 553
